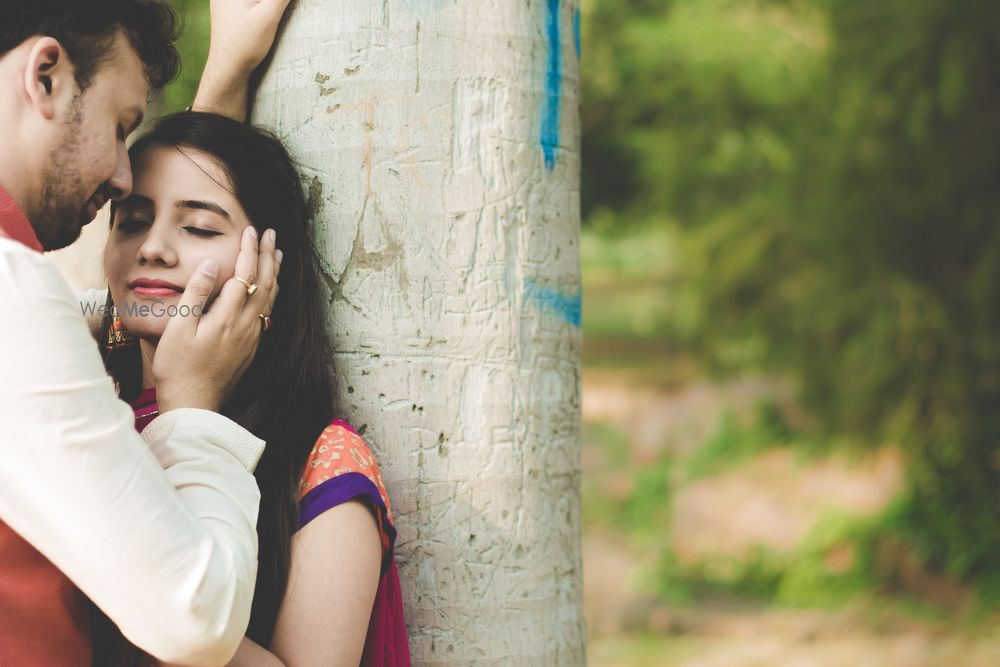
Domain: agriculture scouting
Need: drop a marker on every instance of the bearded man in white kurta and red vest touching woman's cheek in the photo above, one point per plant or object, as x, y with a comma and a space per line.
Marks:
159, 529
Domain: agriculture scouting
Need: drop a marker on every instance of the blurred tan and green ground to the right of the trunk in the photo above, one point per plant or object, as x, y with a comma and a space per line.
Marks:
677, 467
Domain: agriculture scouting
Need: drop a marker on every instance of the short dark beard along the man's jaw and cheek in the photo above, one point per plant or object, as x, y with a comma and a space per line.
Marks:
64, 198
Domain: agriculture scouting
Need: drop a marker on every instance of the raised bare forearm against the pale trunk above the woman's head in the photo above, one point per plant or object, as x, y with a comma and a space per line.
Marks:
241, 37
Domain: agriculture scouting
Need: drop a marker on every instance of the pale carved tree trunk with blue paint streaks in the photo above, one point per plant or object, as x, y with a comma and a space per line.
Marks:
439, 144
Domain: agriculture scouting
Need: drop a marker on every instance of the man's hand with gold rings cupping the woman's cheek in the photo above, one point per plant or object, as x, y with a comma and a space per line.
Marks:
202, 356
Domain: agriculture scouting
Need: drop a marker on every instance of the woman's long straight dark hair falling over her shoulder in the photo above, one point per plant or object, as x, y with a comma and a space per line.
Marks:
285, 397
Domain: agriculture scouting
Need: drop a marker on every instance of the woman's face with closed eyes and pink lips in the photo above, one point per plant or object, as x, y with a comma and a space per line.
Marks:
180, 212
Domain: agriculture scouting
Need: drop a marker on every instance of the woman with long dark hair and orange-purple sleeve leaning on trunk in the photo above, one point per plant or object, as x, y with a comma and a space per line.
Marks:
327, 588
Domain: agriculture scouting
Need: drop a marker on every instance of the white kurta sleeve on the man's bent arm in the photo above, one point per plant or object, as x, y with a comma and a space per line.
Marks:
158, 529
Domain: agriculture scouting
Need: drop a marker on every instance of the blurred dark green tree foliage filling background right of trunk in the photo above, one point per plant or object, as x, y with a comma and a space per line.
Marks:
827, 170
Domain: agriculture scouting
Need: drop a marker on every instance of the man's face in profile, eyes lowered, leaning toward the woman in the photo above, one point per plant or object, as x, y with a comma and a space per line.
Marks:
89, 163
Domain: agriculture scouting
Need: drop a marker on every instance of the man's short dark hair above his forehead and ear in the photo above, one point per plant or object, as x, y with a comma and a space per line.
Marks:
87, 29
